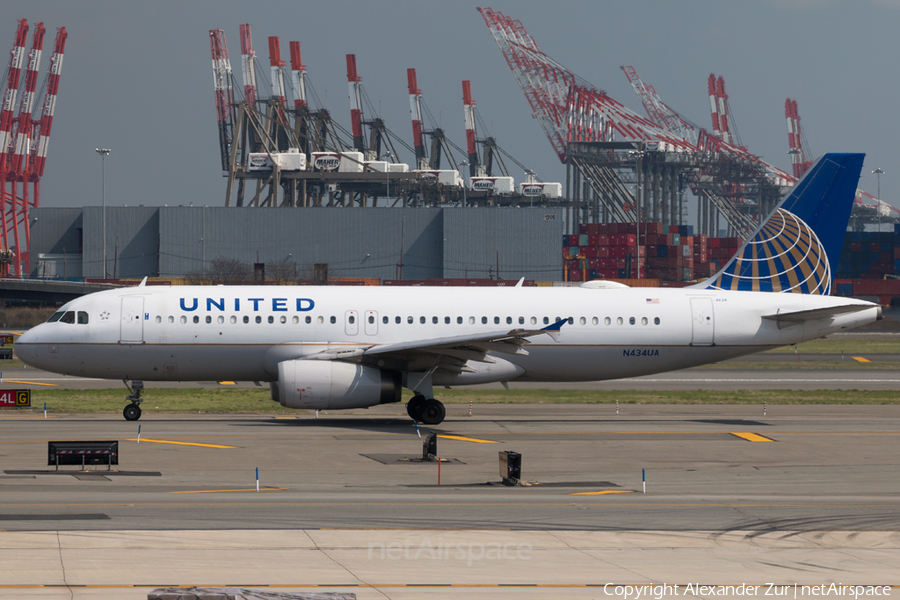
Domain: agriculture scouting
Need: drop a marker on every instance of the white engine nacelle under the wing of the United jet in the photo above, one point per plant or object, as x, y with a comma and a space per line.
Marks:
325, 384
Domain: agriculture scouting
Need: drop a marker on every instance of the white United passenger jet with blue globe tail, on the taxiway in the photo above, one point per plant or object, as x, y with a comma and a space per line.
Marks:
335, 348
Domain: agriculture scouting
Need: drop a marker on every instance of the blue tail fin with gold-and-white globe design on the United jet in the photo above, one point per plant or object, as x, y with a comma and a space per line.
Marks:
797, 247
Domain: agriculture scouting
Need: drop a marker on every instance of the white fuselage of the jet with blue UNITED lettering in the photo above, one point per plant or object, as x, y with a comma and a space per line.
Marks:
243, 332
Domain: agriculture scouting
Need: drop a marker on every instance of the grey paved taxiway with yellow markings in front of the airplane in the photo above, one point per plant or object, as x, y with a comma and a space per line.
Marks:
804, 494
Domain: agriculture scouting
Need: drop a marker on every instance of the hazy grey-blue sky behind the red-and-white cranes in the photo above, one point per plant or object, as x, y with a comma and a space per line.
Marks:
137, 77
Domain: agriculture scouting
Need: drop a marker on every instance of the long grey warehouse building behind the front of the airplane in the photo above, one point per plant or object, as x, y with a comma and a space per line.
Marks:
387, 243
